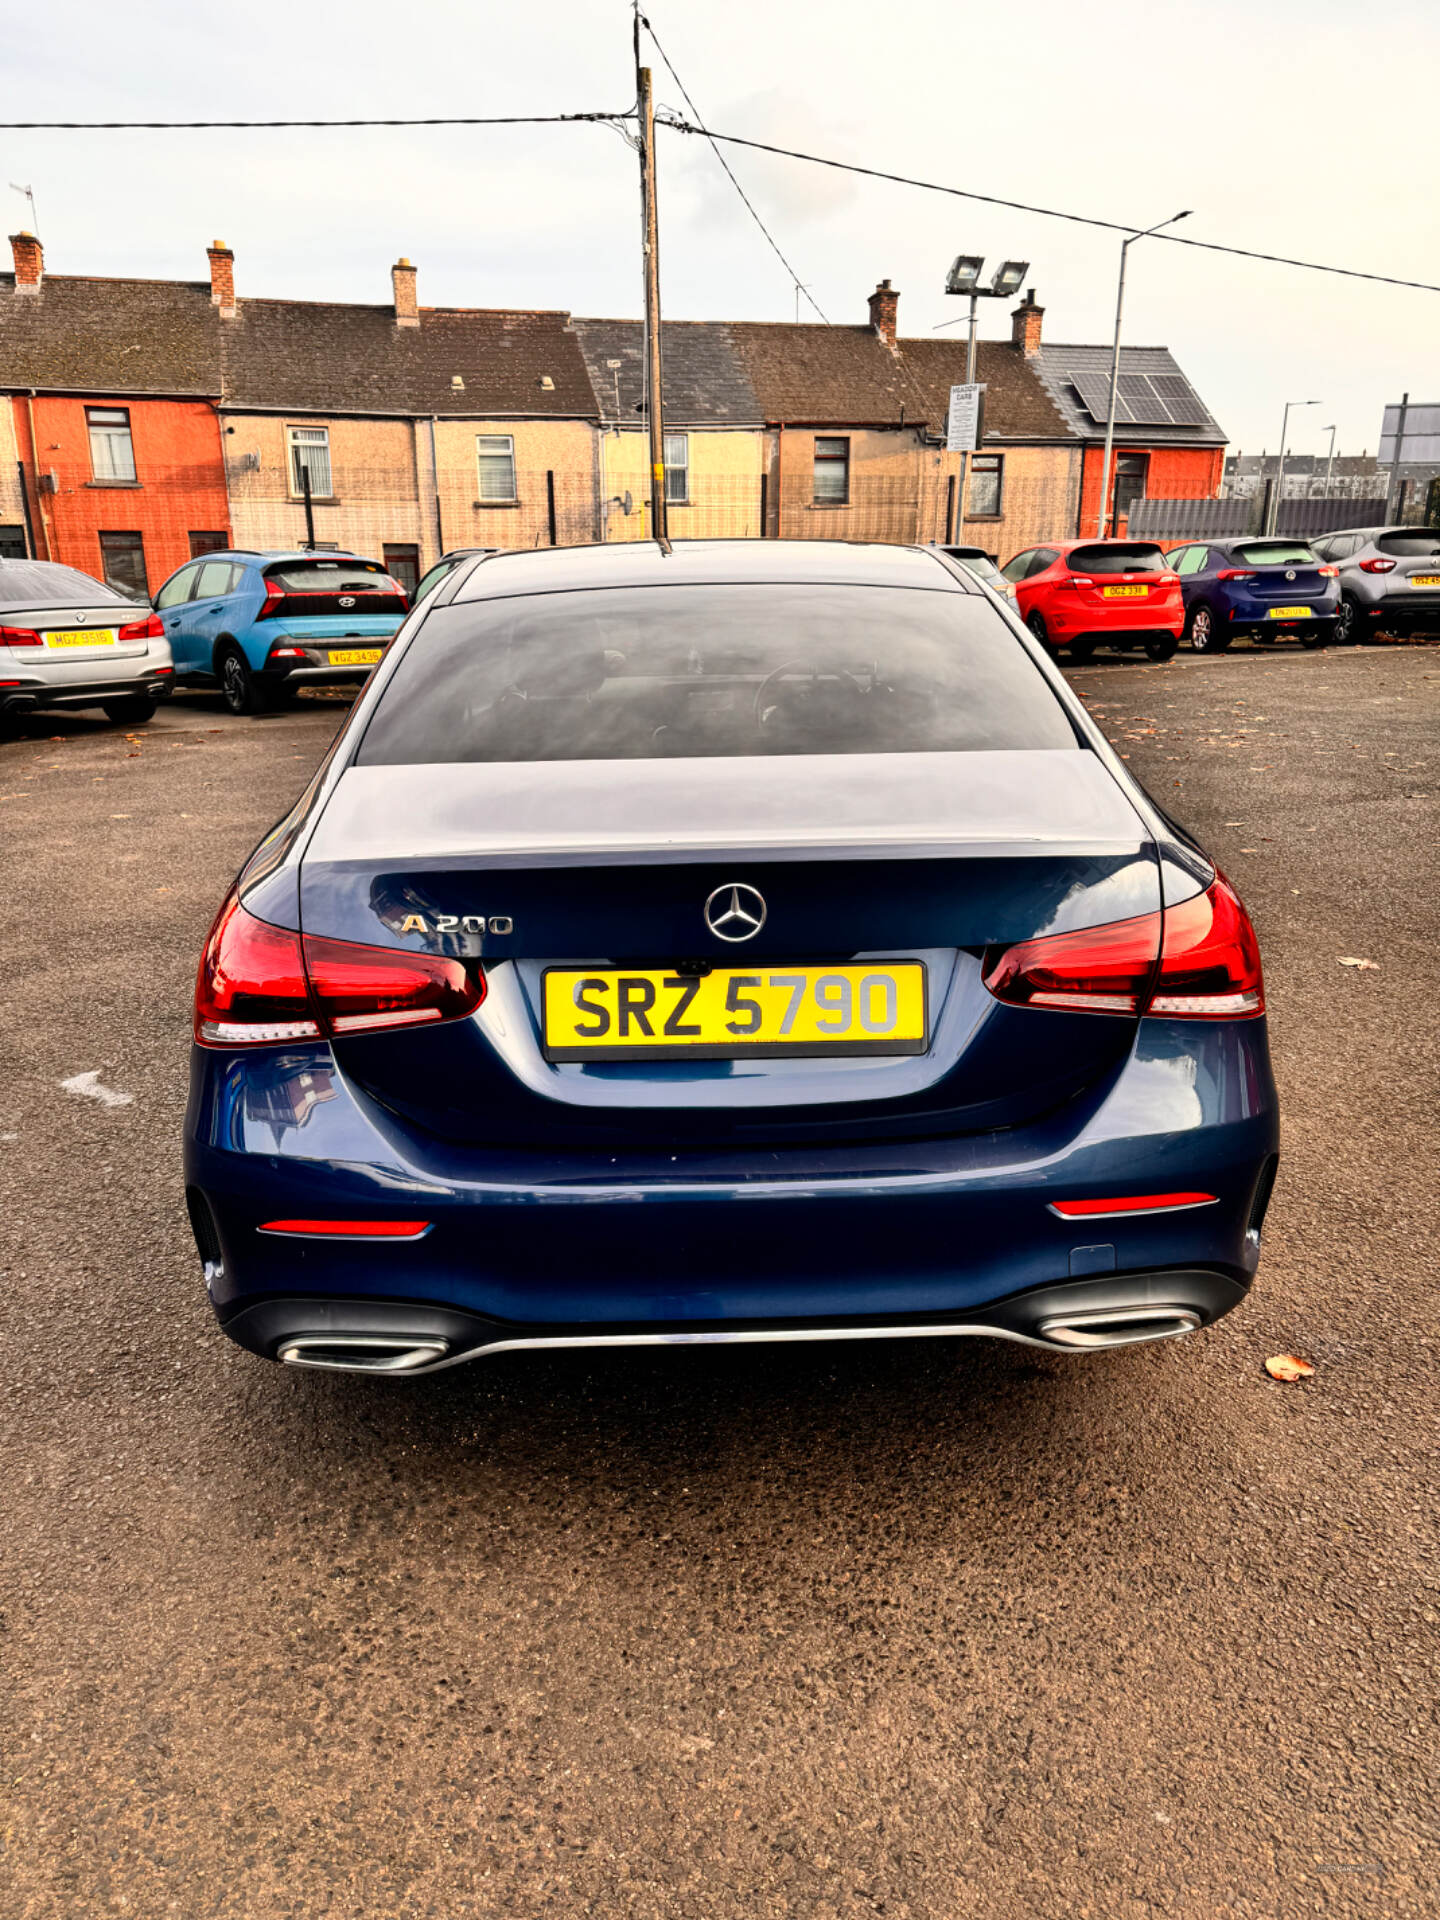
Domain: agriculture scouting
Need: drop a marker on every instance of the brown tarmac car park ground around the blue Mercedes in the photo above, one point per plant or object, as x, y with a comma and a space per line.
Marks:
923, 1631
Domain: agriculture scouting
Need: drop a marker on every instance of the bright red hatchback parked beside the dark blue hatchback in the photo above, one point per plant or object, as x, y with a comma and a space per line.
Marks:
1082, 594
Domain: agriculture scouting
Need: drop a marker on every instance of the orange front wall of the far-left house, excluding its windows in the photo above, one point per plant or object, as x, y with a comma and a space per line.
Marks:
180, 481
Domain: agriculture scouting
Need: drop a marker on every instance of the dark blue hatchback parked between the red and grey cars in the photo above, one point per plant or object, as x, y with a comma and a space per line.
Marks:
1266, 588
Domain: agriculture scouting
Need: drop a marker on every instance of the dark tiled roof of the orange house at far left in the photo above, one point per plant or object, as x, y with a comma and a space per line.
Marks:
110, 337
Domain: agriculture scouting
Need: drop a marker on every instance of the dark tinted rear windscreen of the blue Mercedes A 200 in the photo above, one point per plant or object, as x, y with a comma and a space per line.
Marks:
711, 671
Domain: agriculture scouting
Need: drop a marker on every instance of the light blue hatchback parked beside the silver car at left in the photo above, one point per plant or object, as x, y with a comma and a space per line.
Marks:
264, 625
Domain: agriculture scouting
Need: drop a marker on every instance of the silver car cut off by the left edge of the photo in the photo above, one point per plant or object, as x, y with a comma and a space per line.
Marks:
68, 640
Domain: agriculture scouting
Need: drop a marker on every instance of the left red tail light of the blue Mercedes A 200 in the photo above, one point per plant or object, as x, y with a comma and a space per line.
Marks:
262, 986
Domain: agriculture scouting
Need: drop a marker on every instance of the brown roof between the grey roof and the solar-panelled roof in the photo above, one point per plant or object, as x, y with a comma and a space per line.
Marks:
848, 377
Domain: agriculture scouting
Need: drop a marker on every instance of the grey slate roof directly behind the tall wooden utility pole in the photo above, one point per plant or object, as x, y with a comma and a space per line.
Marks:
704, 375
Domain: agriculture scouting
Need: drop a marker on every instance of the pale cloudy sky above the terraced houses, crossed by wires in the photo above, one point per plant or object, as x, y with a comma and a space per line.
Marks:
1291, 126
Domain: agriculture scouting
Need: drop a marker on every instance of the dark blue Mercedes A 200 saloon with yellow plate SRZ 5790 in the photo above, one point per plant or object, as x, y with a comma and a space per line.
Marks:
744, 942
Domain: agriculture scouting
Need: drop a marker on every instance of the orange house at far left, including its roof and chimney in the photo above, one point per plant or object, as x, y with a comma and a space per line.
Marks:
110, 396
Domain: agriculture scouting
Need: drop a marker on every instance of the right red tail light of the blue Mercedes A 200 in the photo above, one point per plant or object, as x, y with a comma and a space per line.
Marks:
1199, 961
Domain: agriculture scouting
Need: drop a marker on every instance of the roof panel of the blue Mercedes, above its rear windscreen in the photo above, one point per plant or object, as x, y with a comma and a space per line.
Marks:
642, 564
